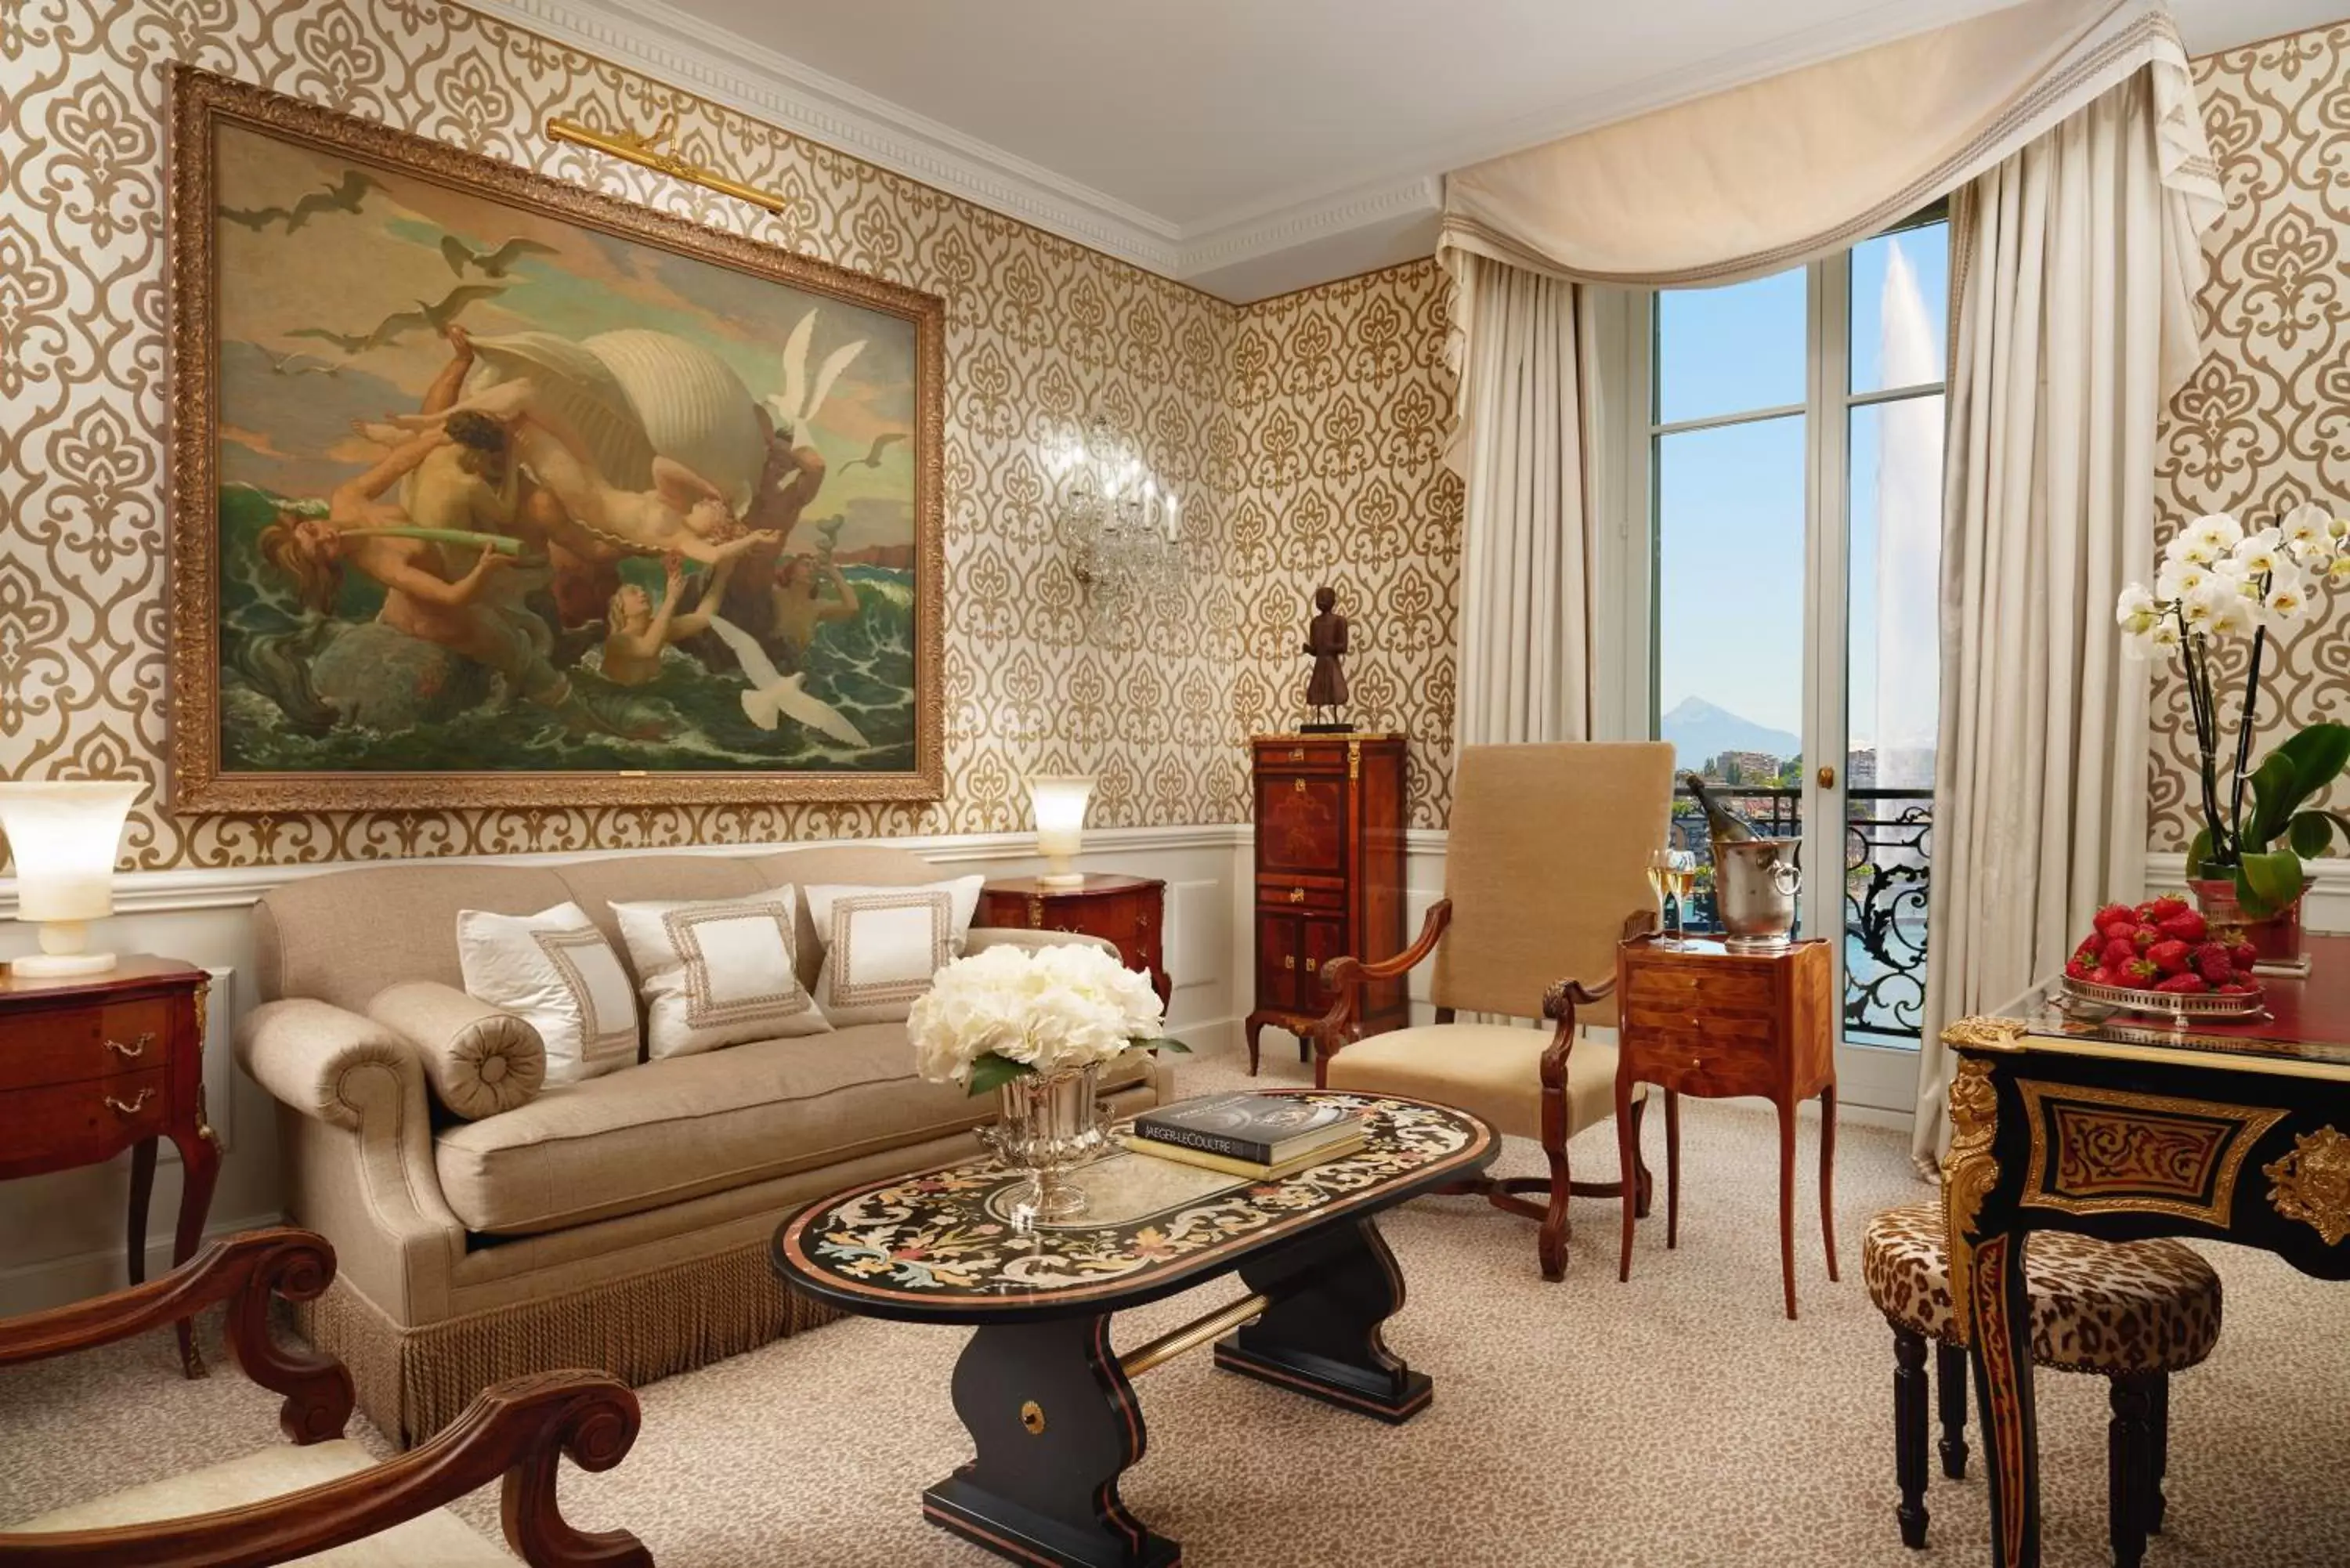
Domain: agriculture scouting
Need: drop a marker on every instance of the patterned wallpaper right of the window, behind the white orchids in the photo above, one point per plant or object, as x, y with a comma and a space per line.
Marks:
2267, 420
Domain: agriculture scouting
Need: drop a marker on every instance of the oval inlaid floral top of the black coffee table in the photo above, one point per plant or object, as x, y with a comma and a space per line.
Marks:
939, 1247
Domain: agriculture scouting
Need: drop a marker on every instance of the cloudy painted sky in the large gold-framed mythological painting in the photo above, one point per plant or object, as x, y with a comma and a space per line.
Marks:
347, 272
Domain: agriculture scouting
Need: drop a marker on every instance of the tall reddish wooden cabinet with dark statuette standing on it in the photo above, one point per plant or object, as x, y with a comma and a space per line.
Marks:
1329, 873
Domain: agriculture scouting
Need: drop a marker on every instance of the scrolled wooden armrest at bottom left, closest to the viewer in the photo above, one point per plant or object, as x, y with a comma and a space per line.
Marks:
518, 1428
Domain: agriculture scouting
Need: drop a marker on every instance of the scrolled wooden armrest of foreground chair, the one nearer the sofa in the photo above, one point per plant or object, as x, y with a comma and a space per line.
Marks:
241, 1271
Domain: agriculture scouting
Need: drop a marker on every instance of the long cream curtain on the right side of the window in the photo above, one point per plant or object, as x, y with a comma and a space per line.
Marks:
2076, 267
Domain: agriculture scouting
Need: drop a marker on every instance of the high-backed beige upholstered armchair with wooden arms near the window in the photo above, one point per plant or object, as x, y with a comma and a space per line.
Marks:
1545, 873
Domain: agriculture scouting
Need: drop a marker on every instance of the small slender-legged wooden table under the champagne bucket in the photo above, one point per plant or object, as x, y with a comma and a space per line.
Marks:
1710, 1021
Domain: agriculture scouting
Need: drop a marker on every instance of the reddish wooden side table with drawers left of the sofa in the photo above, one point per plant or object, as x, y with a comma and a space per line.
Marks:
93, 1066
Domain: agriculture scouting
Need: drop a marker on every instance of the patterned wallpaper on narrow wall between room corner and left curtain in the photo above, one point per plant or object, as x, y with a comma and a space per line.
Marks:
1338, 408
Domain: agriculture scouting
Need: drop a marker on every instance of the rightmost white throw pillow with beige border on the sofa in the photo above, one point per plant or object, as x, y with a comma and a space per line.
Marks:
882, 944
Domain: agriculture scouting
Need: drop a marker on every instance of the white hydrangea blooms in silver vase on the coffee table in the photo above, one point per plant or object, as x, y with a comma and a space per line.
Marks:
1033, 1012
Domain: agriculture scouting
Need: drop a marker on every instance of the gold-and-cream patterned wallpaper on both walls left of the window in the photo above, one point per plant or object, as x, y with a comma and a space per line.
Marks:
1320, 410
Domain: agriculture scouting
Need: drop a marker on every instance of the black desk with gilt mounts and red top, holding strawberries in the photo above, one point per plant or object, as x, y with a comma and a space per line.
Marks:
2130, 1130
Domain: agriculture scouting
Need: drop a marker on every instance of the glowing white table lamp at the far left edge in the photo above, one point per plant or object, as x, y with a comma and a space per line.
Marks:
65, 838
